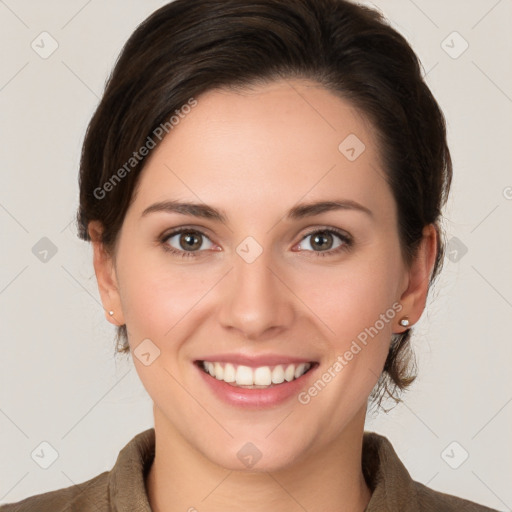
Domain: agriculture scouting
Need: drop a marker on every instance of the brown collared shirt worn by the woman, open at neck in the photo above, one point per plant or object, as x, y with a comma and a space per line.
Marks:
122, 489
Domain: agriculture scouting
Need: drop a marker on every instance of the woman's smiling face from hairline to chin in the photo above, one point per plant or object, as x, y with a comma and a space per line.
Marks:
274, 283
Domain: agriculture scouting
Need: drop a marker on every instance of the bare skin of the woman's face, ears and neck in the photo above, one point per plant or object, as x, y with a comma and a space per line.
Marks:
255, 154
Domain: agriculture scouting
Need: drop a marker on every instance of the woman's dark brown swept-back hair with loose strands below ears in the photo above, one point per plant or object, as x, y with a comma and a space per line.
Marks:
188, 47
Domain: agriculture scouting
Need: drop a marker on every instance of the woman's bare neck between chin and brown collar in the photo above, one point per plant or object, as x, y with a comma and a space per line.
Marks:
182, 479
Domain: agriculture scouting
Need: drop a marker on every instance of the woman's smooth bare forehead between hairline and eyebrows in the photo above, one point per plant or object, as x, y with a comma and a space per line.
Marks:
270, 145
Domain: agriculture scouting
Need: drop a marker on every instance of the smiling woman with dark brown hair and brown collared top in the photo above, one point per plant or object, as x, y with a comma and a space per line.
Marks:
262, 184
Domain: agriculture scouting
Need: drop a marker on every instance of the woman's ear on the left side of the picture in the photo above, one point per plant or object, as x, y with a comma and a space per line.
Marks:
106, 276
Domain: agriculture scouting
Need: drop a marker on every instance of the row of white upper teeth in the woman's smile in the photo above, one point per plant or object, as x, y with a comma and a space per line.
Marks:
261, 376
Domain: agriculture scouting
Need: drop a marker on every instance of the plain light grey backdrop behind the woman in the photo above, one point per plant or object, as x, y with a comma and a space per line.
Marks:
60, 382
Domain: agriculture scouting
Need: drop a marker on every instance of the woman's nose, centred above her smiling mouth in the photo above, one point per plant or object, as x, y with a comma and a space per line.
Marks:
257, 300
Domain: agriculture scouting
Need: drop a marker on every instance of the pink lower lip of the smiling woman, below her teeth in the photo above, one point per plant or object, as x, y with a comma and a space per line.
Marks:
256, 398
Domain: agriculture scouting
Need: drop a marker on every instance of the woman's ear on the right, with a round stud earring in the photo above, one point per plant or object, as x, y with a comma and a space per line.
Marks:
414, 296
